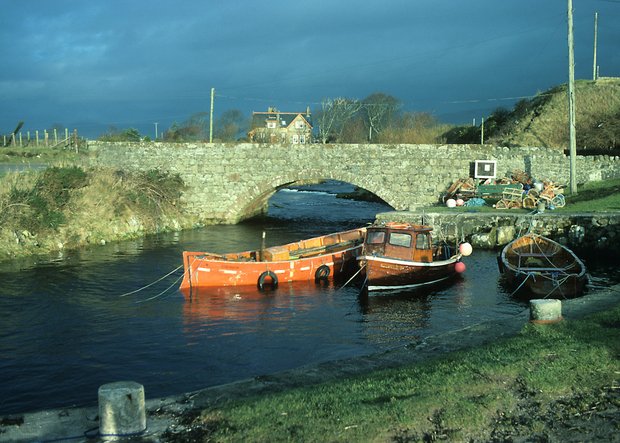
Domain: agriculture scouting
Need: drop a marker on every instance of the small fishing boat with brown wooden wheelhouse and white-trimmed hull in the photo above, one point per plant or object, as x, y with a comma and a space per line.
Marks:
401, 255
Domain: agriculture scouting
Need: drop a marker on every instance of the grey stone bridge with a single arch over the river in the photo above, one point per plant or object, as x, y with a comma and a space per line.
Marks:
230, 182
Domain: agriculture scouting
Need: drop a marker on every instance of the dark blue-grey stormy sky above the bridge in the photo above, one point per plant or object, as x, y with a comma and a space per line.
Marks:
144, 64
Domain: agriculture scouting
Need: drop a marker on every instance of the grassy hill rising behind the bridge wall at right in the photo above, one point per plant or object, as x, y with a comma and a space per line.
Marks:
543, 120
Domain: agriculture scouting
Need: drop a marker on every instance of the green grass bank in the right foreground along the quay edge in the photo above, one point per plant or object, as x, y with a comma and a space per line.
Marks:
556, 382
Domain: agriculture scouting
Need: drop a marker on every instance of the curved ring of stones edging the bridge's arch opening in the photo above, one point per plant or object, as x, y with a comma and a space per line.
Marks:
256, 198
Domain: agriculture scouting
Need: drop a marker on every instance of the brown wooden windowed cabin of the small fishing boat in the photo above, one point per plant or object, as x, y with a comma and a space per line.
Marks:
400, 241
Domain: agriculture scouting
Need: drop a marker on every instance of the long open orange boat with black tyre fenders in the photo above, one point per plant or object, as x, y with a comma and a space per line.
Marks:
320, 258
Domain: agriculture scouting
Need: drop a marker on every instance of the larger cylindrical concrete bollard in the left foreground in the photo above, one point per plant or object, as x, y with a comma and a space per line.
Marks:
121, 409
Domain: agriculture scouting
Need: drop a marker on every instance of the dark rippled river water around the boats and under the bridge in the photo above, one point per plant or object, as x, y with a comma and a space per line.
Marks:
72, 323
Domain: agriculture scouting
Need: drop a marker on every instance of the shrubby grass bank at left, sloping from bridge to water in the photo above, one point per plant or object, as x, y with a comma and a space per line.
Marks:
62, 208
